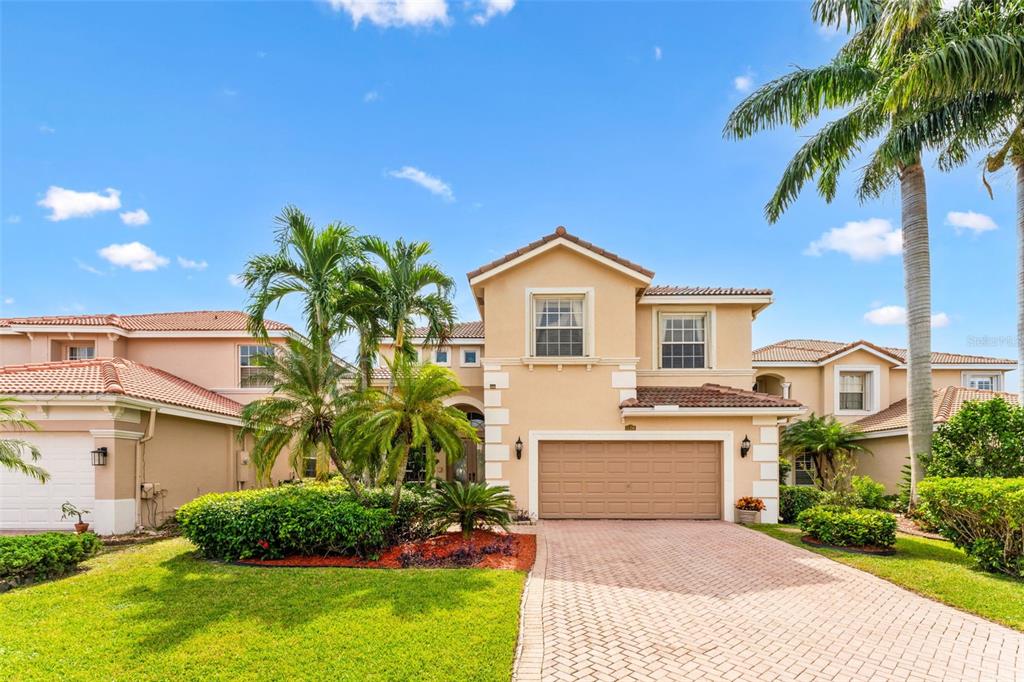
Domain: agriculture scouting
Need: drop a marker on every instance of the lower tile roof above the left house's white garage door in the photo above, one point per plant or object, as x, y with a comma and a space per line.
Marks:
112, 376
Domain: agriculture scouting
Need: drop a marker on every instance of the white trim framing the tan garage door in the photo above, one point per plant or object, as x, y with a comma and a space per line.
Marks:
726, 438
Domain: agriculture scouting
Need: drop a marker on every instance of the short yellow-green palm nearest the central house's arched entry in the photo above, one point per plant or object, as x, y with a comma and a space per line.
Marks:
412, 416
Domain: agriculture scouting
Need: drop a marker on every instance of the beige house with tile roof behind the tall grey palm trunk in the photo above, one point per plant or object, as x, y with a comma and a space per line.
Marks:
866, 385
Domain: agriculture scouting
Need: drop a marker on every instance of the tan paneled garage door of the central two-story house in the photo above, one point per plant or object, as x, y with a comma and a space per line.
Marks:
627, 480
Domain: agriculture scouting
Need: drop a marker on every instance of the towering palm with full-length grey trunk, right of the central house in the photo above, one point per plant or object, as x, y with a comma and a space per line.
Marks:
860, 81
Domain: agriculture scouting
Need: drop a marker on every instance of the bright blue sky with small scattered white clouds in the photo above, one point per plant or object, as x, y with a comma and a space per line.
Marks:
477, 126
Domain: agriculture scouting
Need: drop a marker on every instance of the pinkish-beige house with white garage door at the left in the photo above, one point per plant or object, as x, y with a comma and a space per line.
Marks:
162, 394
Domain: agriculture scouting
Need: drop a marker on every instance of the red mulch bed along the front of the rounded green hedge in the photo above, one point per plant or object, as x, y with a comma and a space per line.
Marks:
509, 551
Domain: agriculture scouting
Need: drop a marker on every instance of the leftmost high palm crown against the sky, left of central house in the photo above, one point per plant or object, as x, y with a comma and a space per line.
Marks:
313, 263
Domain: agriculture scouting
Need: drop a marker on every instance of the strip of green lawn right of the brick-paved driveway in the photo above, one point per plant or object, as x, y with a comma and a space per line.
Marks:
933, 569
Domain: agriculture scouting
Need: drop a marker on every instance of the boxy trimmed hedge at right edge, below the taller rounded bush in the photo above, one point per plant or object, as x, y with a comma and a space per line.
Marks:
983, 517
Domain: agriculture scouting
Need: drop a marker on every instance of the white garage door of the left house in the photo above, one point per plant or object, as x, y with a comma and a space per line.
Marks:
28, 505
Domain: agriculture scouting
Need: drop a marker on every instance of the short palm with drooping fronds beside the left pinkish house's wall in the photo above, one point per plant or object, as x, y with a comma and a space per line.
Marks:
302, 413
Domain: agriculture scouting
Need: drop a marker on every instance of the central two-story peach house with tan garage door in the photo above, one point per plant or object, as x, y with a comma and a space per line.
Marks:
604, 397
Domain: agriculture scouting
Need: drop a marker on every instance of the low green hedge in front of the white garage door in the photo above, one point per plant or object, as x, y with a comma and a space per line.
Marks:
46, 556
